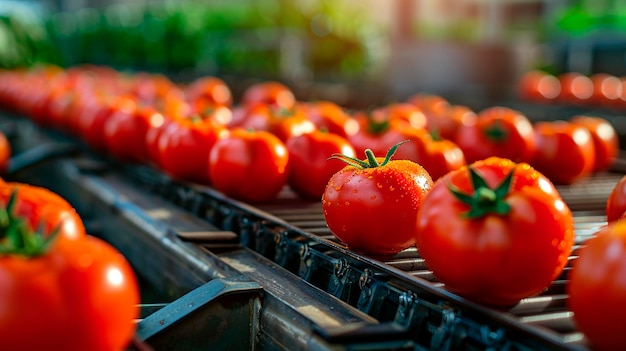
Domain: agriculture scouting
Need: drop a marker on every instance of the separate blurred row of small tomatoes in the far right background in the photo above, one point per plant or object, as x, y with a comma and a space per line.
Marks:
600, 90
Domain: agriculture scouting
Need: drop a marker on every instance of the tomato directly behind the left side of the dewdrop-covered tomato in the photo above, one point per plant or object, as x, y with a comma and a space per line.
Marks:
309, 164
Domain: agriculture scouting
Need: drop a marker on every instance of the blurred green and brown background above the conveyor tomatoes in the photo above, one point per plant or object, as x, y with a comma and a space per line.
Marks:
356, 52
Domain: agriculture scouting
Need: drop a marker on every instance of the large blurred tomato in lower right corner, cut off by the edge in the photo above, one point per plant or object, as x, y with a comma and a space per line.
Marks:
596, 288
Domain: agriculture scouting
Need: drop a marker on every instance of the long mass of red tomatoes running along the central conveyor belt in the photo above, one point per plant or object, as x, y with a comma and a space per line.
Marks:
473, 191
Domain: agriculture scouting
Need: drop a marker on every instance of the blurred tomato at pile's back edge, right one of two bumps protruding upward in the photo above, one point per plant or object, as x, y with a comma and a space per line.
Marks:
269, 92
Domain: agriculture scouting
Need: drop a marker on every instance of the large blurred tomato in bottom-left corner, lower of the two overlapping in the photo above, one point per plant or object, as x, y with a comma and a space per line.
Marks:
80, 295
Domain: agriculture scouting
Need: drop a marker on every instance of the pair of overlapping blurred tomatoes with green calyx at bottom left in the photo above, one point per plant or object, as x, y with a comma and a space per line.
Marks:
60, 288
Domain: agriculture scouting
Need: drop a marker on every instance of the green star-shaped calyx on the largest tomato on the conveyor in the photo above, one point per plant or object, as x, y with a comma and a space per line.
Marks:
485, 200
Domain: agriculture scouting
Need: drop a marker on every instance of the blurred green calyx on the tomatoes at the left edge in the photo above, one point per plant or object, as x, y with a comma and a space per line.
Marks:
16, 236
